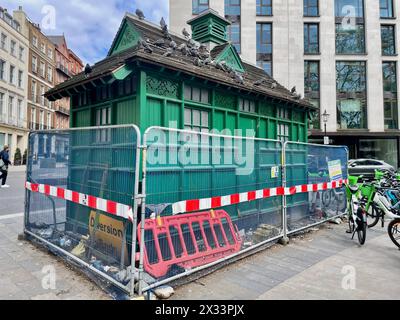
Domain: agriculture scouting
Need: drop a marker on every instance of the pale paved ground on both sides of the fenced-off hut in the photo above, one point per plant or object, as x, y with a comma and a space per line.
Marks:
322, 264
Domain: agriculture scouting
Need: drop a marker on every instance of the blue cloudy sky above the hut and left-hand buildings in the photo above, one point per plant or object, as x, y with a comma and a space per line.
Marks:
88, 25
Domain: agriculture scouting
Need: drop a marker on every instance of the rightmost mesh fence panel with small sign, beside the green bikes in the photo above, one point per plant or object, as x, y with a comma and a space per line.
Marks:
315, 166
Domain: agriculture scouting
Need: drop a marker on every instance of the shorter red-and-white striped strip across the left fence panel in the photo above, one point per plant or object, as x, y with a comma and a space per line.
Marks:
108, 206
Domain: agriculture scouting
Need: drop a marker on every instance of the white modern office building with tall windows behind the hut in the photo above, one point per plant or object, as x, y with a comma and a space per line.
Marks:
340, 54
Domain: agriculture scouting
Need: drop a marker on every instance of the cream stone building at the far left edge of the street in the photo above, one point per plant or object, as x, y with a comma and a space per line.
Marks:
13, 84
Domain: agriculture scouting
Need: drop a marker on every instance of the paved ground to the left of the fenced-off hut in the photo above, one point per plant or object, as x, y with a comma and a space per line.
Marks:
29, 273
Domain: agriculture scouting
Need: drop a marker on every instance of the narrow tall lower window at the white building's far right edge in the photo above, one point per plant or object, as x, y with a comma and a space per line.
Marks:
390, 95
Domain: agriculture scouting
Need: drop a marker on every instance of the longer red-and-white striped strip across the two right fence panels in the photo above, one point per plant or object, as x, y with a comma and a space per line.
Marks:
218, 202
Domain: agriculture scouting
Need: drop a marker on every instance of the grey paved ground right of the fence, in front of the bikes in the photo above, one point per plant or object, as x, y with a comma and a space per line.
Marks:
324, 264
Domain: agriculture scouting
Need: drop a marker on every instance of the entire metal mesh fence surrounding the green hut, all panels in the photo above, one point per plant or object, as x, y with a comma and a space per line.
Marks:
203, 198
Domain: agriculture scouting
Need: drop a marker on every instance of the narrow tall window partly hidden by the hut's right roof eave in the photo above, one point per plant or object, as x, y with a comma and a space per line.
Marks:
312, 89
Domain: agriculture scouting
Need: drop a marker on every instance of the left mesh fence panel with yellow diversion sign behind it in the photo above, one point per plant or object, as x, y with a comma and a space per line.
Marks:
81, 197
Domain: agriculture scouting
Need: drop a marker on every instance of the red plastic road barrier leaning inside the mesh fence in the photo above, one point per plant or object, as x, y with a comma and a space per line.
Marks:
188, 241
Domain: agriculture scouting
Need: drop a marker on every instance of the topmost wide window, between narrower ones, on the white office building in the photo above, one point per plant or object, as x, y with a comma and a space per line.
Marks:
350, 31
